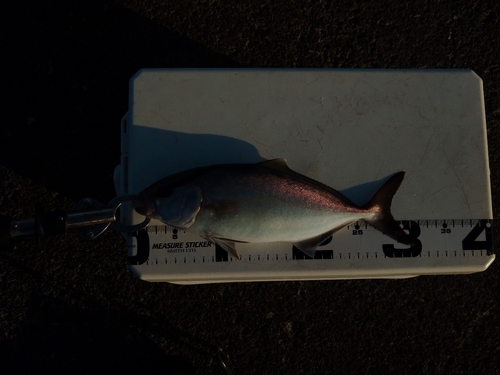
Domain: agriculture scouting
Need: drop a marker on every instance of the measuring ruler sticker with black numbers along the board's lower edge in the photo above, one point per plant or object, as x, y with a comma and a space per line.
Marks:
175, 253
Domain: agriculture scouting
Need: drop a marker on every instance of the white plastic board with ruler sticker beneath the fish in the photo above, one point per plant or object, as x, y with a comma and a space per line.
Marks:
349, 129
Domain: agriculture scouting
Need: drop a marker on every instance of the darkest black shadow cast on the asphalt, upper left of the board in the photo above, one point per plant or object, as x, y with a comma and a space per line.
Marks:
68, 88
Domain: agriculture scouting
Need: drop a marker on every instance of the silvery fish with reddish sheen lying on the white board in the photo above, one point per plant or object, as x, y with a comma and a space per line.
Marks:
262, 203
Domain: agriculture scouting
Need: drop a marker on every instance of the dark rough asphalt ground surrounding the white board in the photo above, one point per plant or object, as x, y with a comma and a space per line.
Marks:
75, 308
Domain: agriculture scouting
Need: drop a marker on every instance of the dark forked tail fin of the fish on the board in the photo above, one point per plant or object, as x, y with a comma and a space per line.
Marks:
380, 204
